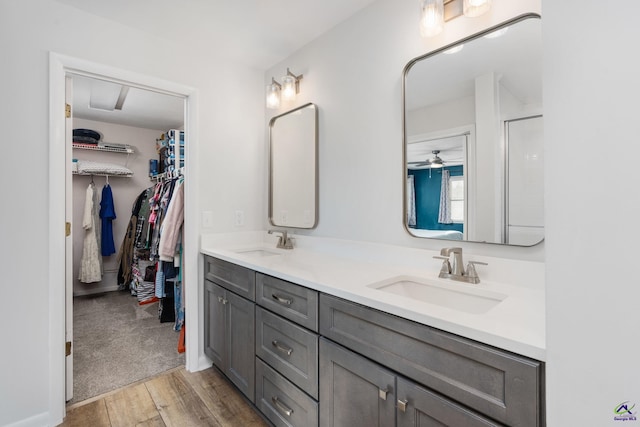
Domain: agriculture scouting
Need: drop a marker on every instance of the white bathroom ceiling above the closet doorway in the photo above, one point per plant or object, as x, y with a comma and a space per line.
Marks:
259, 33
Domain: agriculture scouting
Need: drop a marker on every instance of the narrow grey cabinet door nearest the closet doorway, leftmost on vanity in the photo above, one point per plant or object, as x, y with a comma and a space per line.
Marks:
214, 324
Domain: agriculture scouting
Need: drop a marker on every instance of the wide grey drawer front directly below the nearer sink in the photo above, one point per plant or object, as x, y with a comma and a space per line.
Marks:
502, 385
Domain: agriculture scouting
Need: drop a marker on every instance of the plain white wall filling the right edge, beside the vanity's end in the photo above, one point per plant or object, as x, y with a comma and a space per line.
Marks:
591, 94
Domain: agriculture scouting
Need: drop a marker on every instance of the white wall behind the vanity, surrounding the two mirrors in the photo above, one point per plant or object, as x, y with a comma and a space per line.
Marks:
354, 74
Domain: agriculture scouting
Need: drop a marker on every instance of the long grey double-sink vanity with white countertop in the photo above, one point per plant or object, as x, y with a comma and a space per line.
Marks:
337, 332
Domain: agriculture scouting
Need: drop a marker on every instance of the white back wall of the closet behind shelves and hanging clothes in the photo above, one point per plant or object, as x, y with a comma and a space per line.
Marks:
125, 191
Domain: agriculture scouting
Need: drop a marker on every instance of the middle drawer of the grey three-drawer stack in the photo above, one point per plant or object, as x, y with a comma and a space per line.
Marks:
289, 349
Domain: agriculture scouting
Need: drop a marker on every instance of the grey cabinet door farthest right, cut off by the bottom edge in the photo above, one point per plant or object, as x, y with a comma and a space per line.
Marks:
419, 407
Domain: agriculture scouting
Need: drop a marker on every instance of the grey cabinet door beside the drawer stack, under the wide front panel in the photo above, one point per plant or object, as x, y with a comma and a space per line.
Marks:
354, 392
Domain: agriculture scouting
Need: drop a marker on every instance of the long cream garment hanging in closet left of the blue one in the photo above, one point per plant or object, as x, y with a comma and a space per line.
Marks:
91, 262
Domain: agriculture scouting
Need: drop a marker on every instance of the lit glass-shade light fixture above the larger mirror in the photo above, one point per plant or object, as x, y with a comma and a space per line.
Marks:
434, 13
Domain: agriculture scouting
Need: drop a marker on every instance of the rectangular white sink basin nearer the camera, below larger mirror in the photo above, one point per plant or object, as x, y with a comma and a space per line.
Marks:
457, 296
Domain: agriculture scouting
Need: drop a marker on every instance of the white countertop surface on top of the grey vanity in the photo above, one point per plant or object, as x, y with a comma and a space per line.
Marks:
346, 269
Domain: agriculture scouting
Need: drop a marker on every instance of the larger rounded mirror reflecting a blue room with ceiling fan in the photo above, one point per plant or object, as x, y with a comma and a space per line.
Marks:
473, 138
